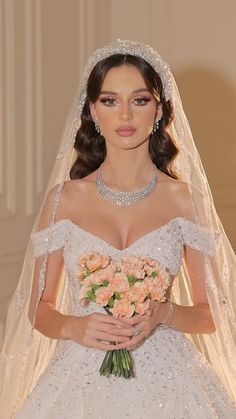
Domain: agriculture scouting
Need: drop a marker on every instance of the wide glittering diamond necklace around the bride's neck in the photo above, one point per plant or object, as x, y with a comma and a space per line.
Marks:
123, 198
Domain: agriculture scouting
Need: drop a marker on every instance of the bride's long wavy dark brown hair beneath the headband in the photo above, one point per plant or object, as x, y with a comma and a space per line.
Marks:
91, 146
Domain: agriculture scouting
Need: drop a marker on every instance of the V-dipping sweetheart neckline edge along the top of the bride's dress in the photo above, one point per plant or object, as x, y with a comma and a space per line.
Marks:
109, 245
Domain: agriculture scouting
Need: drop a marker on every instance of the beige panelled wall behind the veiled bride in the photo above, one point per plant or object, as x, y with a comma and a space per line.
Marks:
43, 46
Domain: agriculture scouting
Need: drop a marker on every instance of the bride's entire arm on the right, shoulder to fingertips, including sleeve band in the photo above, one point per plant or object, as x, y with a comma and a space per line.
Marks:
192, 319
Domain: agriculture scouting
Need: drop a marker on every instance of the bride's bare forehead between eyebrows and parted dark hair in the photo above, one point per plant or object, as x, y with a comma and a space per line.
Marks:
123, 76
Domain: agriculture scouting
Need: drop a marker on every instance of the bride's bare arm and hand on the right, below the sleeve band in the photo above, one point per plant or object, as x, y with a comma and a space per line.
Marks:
187, 319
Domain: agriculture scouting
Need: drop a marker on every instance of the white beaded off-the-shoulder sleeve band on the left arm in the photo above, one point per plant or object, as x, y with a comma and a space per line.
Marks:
49, 239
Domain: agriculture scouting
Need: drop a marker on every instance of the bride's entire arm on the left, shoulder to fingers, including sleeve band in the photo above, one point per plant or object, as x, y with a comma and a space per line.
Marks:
87, 330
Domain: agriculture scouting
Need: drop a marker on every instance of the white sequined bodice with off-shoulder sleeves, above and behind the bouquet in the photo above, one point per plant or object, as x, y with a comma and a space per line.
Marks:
165, 244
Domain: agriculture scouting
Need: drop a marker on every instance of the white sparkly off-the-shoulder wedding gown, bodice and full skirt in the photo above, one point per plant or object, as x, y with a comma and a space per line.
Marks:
172, 379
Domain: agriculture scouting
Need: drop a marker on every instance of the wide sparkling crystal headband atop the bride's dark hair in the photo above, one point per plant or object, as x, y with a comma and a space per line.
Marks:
123, 46
